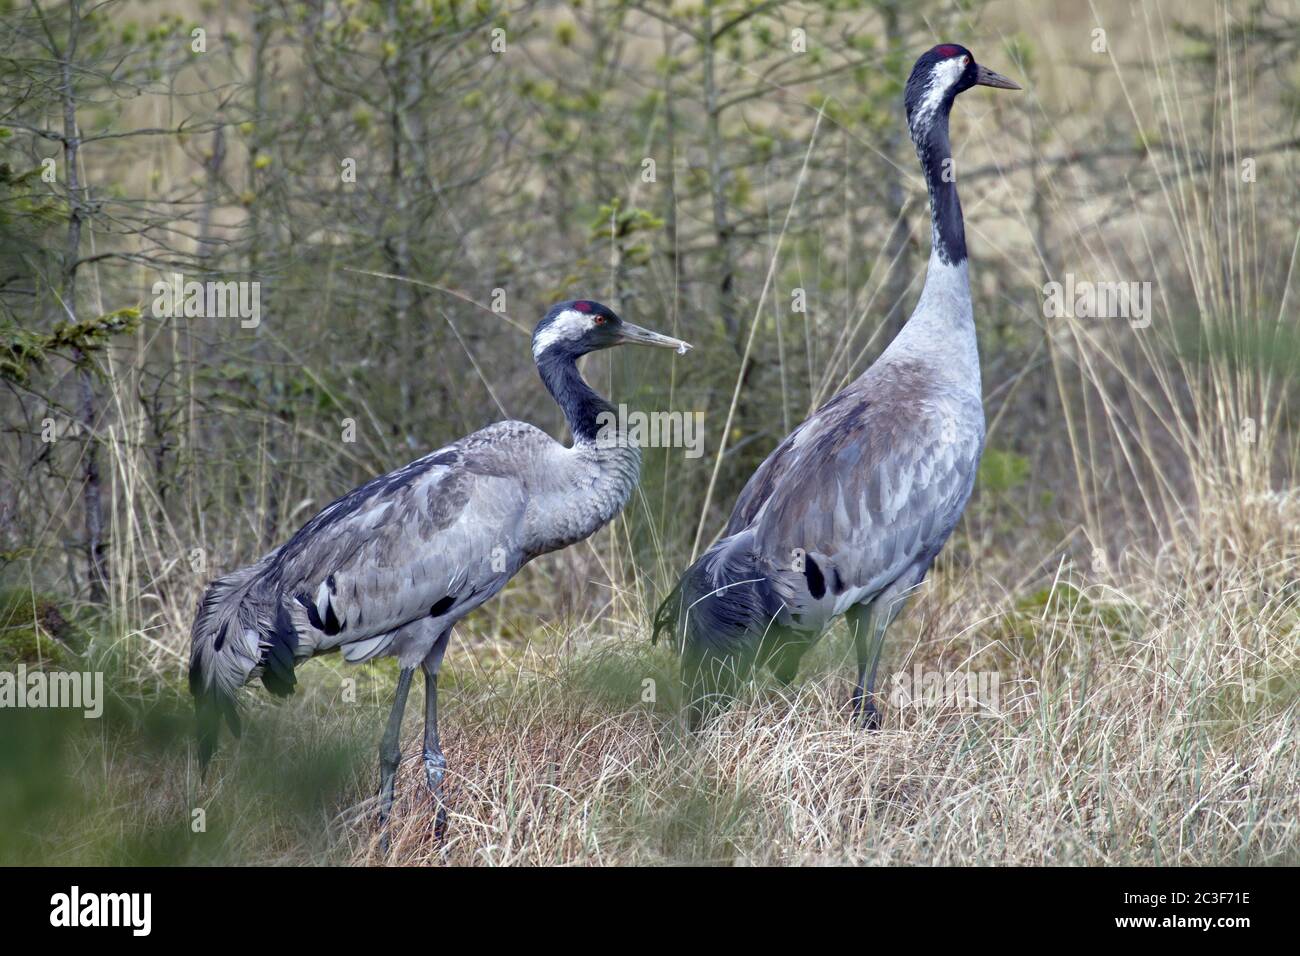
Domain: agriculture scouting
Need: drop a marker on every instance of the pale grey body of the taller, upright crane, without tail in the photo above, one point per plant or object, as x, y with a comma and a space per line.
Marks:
870, 487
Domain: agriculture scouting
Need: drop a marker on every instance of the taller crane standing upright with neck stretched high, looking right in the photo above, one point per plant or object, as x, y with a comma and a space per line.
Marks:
847, 516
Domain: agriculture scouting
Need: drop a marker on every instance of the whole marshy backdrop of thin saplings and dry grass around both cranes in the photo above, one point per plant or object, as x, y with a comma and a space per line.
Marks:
413, 183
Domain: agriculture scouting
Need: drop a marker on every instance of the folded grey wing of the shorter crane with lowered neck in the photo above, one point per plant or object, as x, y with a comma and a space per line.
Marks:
435, 538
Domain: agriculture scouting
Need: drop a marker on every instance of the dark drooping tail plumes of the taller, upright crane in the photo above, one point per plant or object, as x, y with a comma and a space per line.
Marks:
718, 615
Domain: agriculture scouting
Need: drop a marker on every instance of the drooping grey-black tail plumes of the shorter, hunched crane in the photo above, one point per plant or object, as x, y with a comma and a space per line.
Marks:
241, 628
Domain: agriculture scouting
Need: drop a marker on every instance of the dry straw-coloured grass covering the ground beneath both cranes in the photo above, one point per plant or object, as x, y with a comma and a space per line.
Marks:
1136, 728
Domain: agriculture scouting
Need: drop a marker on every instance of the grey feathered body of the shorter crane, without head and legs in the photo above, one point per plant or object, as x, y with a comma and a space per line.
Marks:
384, 570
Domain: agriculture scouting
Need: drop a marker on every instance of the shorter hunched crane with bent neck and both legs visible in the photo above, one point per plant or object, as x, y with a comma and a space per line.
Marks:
391, 568
